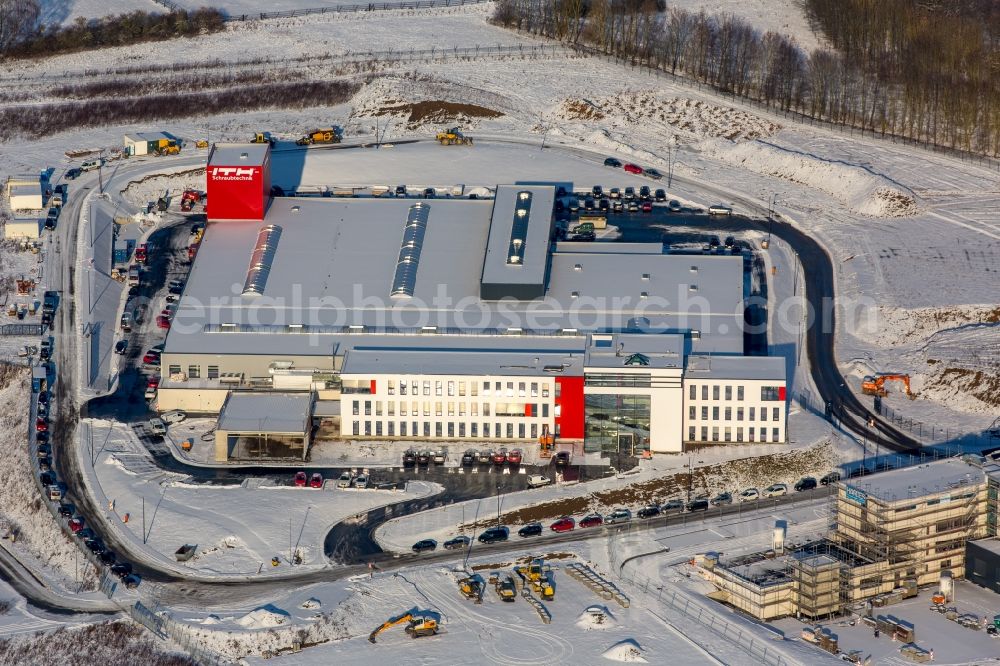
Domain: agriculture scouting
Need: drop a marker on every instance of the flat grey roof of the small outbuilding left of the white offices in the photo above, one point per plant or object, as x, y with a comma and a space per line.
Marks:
281, 413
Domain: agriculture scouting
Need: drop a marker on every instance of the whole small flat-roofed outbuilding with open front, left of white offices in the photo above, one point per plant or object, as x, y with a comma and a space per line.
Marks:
264, 426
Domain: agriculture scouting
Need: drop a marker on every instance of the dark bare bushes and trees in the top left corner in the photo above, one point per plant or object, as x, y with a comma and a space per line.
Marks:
22, 37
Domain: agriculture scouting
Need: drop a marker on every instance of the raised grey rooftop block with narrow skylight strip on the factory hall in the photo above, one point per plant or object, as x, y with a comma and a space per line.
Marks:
517, 249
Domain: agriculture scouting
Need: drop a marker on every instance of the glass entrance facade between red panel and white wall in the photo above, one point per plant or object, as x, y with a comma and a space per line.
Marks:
617, 423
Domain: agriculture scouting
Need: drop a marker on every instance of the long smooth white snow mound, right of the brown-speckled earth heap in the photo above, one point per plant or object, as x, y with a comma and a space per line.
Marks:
860, 190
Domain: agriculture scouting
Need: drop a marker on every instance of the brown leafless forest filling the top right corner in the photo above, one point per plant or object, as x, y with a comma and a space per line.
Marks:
891, 73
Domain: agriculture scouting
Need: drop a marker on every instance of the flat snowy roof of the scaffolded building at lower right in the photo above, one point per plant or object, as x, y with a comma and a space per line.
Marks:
934, 478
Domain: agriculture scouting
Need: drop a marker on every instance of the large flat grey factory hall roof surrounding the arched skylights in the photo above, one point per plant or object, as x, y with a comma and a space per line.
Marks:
336, 260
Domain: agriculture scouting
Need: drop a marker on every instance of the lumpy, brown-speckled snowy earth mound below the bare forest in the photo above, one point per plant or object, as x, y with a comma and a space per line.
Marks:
652, 111
